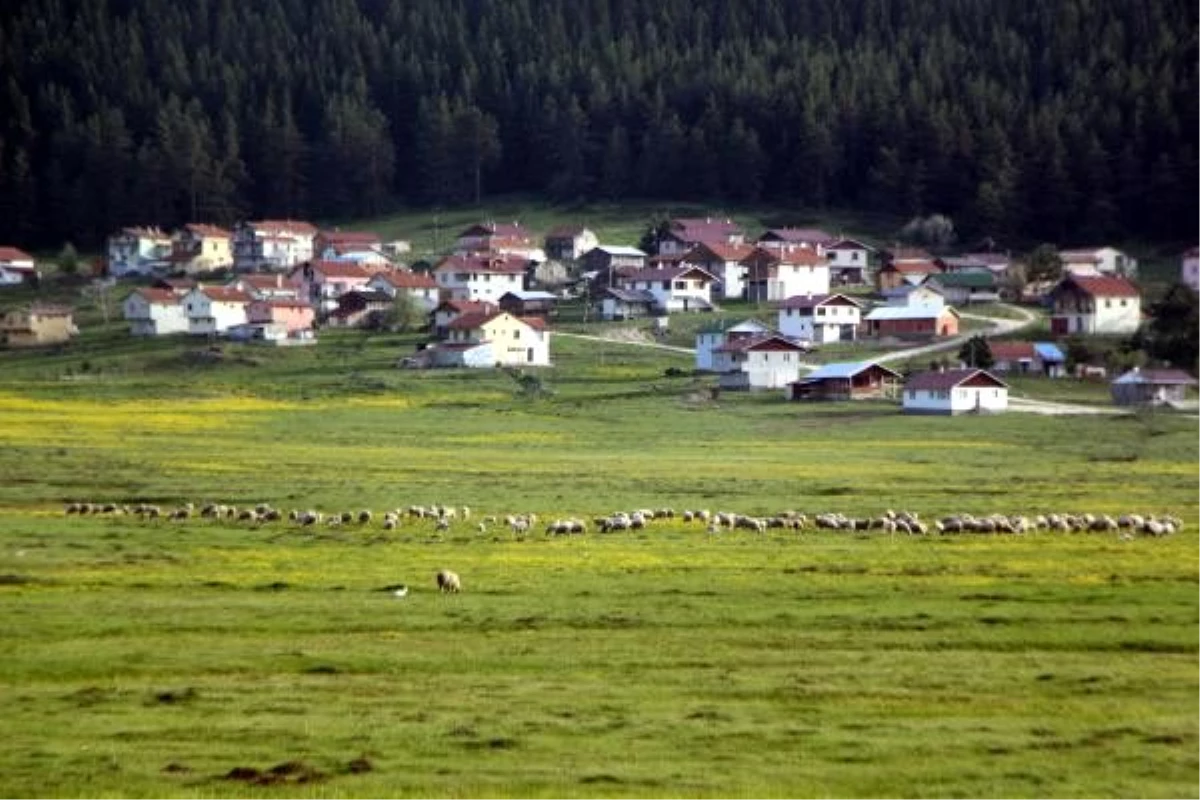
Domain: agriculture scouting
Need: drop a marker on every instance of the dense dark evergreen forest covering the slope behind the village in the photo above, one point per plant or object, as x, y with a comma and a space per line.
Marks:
1065, 121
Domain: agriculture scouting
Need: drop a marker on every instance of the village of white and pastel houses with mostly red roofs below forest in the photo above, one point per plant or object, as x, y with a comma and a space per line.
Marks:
494, 300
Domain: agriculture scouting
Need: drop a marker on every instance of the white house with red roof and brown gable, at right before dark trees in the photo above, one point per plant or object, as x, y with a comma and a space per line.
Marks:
1095, 305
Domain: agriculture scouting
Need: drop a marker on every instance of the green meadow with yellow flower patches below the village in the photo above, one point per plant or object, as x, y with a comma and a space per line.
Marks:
152, 659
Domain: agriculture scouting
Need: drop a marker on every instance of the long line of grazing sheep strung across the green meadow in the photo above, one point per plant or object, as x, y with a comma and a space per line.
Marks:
443, 519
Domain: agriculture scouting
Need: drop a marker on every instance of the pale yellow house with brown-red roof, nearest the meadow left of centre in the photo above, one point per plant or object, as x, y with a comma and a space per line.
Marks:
513, 341
